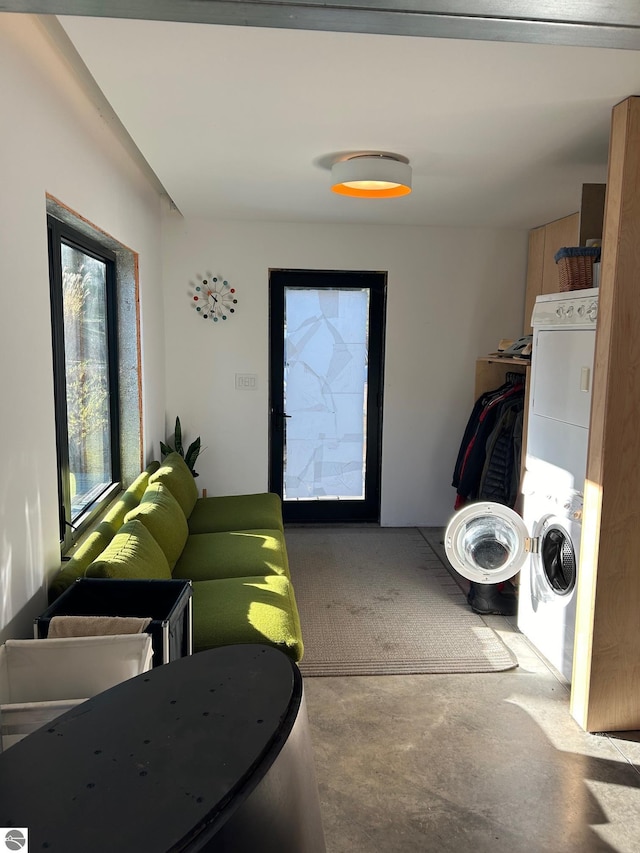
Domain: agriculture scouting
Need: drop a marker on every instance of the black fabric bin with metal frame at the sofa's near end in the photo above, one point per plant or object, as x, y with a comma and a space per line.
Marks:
167, 603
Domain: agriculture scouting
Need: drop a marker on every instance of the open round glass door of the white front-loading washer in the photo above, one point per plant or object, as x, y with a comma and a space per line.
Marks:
486, 542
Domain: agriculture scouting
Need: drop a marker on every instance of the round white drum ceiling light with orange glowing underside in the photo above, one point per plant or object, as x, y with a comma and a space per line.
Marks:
372, 176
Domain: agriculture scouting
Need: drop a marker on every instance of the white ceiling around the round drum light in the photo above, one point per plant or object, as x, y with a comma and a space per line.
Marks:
243, 122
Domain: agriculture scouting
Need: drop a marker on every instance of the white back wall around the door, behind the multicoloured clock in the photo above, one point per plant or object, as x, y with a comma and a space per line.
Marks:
452, 295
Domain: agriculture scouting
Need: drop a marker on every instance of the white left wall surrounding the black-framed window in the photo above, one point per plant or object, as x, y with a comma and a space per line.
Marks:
53, 140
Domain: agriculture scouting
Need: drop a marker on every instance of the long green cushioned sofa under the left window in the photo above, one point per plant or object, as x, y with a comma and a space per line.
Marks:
232, 548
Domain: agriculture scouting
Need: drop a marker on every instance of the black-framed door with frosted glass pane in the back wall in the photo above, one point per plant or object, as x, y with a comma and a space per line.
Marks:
326, 347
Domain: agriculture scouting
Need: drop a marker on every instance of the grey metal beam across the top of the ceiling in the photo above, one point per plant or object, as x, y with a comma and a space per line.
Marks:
585, 23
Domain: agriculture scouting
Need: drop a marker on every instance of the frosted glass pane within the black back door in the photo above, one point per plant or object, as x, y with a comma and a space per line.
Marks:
325, 393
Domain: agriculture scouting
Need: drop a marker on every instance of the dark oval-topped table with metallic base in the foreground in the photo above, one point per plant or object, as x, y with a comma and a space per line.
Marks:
208, 753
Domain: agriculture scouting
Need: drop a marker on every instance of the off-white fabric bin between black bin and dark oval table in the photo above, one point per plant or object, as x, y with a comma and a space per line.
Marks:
41, 679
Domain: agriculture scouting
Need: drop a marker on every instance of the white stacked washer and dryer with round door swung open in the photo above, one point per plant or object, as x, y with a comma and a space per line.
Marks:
487, 542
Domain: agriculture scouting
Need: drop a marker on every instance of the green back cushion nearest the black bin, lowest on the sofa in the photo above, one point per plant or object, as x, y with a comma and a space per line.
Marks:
132, 553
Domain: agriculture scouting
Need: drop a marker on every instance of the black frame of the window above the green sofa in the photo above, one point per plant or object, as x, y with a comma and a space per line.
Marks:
59, 232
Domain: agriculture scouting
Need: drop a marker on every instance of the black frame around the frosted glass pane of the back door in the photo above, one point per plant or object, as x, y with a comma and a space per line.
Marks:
367, 510
